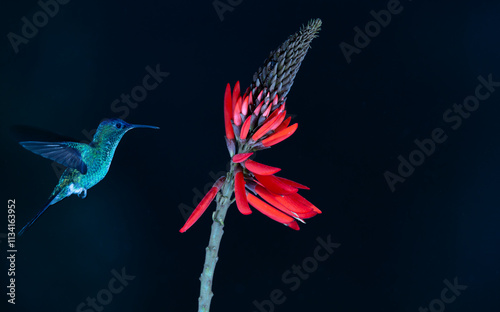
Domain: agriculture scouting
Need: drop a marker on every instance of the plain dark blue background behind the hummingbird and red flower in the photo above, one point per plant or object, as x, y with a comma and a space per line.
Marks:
354, 120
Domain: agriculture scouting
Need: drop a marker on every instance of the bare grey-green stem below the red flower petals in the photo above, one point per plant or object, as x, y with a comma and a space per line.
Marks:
223, 202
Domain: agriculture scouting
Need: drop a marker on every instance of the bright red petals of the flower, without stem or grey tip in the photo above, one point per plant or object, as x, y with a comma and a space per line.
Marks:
253, 123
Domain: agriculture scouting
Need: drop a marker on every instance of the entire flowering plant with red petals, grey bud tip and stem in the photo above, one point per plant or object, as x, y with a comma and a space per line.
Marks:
253, 122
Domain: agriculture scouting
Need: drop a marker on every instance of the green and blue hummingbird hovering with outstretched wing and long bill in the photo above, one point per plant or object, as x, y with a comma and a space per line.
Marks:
86, 164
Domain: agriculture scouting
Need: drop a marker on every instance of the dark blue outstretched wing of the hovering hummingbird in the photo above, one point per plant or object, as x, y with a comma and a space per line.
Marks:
65, 153
